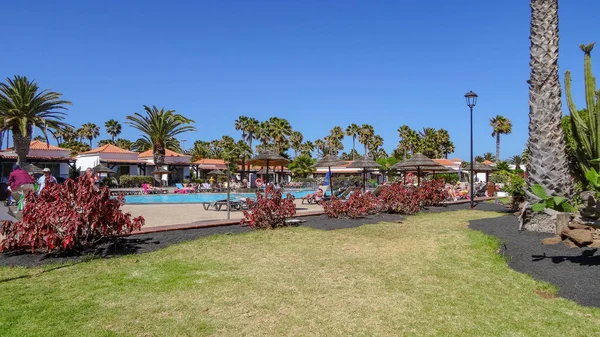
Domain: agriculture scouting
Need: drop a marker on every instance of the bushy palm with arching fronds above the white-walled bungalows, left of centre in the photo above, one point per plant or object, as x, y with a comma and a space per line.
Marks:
159, 128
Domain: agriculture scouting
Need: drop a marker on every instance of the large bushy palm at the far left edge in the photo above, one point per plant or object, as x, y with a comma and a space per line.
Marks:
24, 107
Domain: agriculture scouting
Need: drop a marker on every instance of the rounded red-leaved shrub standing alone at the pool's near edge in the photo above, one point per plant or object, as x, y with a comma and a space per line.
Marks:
269, 210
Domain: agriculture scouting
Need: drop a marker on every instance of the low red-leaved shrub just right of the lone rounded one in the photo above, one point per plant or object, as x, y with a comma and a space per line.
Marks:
358, 205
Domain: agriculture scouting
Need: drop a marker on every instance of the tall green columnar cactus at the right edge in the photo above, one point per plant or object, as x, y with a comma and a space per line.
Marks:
585, 124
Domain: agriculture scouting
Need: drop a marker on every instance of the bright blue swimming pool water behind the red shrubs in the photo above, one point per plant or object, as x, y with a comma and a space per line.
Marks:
193, 197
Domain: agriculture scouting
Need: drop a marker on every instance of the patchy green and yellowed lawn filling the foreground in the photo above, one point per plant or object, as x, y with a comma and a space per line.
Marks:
427, 276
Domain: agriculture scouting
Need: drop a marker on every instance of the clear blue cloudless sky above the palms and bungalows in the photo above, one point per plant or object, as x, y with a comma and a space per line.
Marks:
316, 63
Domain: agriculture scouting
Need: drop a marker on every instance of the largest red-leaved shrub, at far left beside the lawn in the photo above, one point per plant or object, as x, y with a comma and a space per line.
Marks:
66, 216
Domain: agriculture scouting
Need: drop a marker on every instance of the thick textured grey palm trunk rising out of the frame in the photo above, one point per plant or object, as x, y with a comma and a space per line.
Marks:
548, 163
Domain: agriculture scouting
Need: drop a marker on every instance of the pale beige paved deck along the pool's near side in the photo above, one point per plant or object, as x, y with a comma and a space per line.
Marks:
160, 217
